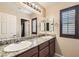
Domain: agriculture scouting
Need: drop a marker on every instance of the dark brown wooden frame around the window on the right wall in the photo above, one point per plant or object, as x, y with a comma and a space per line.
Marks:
76, 22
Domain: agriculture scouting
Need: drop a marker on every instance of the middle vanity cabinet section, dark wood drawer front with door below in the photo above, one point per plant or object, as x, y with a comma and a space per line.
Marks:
44, 49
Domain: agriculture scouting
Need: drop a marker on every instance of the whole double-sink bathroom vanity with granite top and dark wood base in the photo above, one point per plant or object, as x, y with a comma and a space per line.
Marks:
42, 46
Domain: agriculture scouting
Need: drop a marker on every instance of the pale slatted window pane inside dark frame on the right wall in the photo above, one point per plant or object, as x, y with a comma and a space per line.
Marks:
68, 22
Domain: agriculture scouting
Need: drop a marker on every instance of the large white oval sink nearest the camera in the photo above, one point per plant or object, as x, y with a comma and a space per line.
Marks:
17, 46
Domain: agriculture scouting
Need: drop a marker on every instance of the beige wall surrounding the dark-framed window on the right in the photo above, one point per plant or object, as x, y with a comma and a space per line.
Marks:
64, 46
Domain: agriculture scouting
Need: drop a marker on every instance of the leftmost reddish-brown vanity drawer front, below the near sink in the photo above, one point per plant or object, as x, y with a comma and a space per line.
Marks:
29, 53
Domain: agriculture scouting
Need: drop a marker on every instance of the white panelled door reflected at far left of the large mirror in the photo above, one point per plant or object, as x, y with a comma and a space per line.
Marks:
7, 25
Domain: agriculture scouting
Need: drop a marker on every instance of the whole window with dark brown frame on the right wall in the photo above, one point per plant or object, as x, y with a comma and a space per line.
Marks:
69, 22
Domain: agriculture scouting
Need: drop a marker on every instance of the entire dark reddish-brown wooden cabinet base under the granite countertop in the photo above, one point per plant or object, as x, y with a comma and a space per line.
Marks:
45, 49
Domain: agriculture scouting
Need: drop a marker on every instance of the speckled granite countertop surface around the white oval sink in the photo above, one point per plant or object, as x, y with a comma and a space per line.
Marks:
35, 42
